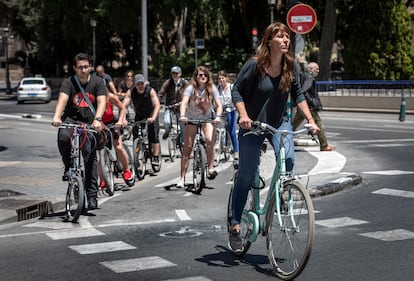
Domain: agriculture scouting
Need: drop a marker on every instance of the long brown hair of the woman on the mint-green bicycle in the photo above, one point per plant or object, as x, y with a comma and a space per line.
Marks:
263, 56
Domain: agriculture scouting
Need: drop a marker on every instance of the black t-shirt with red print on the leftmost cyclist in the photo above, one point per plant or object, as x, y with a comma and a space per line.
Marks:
77, 108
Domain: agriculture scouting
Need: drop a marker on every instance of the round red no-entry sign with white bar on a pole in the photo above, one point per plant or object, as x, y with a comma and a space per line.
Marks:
301, 18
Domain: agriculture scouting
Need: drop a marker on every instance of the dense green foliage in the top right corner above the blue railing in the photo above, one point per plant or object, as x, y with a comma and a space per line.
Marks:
377, 38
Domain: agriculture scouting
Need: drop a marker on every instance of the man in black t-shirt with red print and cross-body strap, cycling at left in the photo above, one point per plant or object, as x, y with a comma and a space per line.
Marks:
73, 108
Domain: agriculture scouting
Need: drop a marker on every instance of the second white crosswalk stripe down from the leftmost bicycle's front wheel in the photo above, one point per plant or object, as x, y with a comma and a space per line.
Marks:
105, 247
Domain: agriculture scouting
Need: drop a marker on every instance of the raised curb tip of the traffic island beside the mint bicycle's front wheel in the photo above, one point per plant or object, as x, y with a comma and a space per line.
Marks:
335, 185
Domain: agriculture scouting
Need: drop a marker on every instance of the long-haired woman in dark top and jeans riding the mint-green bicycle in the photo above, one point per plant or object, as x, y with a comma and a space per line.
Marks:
260, 93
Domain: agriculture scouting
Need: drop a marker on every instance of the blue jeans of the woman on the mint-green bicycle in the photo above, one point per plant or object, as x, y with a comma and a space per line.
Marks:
249, 156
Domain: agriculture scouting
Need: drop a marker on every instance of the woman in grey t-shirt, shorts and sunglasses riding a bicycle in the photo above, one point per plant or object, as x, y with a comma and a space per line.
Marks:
197, 103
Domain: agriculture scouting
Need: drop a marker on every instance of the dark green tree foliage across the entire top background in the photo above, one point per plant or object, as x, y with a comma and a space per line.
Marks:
376, 34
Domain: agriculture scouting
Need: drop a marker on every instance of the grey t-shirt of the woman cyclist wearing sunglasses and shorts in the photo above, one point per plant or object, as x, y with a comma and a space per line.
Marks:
200, 108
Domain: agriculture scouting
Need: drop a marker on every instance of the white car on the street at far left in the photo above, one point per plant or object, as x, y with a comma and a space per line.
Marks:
33, 89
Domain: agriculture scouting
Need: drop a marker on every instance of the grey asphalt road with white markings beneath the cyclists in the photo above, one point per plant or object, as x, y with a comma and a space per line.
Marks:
154, 233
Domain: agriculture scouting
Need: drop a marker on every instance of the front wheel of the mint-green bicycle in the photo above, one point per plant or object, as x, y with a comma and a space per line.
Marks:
290, 237
